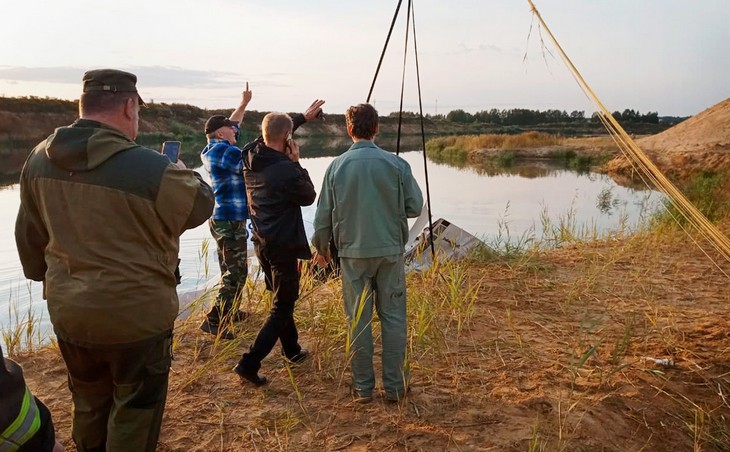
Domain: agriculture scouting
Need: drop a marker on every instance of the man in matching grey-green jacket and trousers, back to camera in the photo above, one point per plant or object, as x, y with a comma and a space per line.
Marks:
366, 197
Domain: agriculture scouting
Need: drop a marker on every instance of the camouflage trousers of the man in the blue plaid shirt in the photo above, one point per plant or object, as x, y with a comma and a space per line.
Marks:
231, 237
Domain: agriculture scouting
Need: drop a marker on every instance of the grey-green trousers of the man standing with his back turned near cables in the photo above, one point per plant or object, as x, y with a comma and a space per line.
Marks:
380, 281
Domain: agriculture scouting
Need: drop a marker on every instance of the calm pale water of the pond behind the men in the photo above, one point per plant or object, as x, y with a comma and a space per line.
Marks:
483, 201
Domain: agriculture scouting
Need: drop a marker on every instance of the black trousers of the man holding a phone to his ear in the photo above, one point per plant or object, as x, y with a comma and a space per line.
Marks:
282, 278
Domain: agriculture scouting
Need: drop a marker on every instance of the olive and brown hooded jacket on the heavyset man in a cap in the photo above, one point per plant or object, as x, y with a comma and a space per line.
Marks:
99, 223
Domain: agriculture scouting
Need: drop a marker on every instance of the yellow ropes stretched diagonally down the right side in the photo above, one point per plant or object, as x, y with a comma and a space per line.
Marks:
641, 163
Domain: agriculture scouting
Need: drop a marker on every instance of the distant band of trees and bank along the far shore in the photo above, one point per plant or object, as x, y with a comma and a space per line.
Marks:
34, 117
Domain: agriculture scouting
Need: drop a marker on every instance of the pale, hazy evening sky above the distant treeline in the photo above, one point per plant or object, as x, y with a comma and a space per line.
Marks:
669, 56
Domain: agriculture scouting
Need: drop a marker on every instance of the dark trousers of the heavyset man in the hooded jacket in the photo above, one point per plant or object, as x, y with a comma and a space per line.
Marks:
118, 393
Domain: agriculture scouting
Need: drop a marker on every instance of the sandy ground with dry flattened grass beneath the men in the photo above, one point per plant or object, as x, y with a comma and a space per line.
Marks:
538, 351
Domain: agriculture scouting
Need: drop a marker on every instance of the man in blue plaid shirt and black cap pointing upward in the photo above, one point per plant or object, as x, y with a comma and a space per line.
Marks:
222, 159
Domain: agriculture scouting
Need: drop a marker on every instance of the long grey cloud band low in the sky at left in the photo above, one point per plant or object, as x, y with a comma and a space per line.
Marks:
148, 76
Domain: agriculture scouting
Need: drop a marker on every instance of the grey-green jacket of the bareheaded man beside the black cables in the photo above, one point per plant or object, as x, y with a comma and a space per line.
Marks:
366, 197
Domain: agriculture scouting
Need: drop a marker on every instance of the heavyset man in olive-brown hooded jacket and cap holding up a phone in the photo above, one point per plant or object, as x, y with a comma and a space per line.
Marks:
99, 223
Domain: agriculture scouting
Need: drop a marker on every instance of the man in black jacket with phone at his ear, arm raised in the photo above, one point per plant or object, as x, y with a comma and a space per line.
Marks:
277, 186
